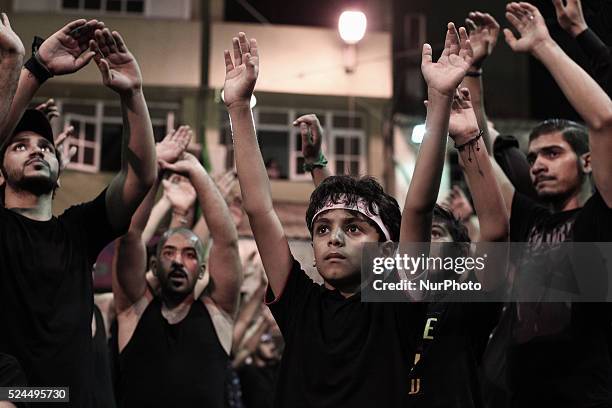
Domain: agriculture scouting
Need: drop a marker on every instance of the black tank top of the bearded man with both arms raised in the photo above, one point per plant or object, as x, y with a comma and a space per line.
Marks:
173, 365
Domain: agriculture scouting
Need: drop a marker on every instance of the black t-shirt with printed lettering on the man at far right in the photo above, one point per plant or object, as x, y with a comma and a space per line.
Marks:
558, 352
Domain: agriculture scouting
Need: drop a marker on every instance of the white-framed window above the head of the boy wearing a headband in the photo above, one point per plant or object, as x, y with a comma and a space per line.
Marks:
281, 143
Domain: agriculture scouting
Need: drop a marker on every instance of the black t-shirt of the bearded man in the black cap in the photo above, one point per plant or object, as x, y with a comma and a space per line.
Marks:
46, 294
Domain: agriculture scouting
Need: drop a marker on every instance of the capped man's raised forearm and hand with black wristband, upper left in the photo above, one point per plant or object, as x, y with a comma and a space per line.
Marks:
64, 52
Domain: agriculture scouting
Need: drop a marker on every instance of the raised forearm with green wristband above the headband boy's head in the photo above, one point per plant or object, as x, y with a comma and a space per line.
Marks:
312, 139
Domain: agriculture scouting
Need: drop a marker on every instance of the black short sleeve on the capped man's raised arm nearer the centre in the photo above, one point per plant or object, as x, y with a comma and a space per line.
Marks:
90, 221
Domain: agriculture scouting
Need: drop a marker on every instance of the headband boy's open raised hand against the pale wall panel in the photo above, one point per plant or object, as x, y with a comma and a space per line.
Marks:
241, 73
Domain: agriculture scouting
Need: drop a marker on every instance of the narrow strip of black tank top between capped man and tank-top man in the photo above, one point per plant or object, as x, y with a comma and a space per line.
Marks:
103, 390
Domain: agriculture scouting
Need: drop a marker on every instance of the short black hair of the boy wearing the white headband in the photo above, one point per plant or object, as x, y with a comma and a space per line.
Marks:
337, 188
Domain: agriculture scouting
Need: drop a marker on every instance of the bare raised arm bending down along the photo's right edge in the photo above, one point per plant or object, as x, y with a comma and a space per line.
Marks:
585, 95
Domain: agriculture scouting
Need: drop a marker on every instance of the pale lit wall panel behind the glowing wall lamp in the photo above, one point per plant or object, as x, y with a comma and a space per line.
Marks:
306, 60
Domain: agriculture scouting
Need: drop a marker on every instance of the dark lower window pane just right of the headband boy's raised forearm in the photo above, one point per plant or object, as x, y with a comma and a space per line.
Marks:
274, 147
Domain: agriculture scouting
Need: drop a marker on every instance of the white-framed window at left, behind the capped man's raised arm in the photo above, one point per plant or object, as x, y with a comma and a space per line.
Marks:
98, 130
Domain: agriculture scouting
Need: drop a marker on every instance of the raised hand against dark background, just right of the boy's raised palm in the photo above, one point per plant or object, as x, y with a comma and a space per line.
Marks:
483, 32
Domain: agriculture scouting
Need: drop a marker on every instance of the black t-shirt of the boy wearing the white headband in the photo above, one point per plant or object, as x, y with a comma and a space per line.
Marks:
340, 352
